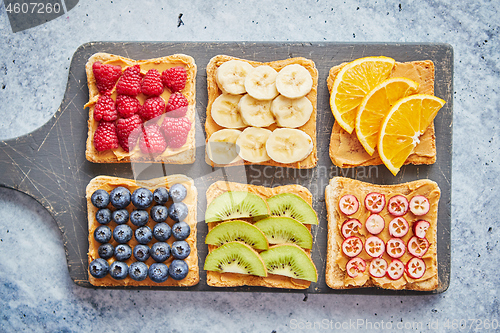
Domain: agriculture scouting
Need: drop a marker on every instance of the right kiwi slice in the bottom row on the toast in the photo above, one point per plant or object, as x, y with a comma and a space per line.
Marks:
290, 260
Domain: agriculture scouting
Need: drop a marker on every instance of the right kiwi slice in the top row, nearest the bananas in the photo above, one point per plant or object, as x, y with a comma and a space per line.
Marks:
291, 205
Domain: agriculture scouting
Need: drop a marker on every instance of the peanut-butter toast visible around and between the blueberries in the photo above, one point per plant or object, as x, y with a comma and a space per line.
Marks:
108, 183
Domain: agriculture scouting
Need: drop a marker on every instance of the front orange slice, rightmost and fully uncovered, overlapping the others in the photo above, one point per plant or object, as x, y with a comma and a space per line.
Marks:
402, 127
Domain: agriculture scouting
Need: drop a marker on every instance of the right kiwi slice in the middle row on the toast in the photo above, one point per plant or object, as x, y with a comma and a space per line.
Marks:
279, 230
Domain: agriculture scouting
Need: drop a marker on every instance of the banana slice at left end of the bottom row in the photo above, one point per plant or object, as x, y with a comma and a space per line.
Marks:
222, 148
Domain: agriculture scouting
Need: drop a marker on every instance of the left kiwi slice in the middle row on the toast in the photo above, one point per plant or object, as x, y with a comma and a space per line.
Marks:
237, 231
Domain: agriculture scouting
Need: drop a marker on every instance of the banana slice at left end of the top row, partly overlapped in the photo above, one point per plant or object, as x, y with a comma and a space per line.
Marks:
230, 76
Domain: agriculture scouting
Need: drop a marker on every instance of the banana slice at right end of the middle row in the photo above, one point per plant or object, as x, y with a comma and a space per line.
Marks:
291, 113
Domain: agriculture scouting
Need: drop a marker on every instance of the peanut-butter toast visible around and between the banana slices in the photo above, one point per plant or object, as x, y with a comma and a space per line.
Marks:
309, 127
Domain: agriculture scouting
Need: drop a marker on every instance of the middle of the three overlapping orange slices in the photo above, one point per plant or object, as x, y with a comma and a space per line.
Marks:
375, 106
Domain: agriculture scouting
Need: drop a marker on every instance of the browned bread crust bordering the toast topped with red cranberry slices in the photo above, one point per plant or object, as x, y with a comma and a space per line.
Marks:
334, 275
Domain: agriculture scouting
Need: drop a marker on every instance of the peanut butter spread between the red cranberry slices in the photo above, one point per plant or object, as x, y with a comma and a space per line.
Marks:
431, 192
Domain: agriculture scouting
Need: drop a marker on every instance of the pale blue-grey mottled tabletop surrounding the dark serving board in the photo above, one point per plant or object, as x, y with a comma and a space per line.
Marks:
36, 293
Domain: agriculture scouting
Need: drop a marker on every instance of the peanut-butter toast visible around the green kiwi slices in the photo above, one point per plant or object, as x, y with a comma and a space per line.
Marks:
216, 279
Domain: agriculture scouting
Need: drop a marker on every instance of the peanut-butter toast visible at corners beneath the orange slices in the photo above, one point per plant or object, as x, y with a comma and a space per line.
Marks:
345, 149
